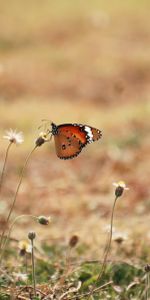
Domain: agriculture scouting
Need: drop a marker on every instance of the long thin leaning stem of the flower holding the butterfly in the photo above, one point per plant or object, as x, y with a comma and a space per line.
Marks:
16, 193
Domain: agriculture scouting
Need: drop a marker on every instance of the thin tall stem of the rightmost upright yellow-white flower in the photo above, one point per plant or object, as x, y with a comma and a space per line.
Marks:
106, 250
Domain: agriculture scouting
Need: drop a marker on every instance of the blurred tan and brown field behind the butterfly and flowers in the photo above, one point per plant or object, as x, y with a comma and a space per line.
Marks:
87, 62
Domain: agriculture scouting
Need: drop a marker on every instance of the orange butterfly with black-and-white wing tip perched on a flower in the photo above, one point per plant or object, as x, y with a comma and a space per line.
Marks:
70, 139
